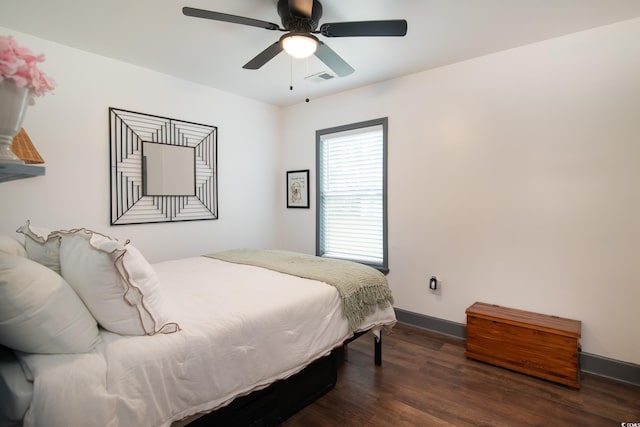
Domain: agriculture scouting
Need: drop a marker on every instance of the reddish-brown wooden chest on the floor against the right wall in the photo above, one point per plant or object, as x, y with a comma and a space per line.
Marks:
535, 344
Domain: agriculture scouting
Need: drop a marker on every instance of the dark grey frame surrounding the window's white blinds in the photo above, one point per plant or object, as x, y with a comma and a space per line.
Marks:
384, 266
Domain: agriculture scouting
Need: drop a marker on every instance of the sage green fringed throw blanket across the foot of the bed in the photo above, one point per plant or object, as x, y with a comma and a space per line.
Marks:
362, 288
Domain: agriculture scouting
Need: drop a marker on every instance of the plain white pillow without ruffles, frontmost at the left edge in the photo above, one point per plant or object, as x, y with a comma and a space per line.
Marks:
39, 312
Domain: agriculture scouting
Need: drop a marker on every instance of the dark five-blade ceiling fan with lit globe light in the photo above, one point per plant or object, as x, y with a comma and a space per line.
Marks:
300, 19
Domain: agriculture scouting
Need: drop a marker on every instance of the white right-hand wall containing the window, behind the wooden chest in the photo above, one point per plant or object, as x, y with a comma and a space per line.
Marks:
514, 178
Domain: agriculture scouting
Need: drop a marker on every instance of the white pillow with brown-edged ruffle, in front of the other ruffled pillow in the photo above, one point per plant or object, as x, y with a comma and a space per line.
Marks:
116, 282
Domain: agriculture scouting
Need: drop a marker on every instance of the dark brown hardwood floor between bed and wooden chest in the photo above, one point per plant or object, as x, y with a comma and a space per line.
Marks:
425, 380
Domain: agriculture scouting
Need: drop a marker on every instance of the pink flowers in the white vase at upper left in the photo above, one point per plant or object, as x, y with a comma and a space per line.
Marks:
21, 65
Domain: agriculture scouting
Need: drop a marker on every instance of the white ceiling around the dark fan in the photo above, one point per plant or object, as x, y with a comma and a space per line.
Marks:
156, 35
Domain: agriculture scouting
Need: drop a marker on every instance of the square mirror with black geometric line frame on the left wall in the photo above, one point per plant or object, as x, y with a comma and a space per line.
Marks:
152, 177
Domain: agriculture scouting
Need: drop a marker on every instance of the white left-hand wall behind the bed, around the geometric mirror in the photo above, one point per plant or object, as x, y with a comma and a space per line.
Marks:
70, 130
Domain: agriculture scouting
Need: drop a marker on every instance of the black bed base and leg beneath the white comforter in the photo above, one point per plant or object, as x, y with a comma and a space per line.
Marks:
273, 405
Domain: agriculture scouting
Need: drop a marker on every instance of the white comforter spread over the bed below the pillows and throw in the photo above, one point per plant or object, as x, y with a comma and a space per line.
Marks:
243, 328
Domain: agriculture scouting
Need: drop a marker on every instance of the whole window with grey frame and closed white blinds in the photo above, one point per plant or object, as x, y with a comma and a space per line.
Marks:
351, 167
